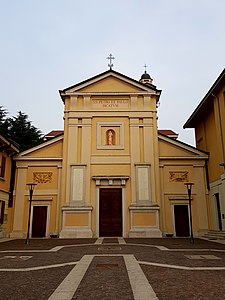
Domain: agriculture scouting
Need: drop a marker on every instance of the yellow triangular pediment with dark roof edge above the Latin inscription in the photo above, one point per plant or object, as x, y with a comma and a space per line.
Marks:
109, 81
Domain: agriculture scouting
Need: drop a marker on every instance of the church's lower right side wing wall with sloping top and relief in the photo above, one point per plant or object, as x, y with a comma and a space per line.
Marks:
181, 164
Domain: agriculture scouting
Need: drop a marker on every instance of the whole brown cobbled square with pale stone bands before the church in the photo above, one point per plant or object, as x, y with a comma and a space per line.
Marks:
112, 268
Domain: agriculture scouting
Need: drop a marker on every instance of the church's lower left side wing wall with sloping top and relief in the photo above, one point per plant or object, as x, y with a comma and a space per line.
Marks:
41, 165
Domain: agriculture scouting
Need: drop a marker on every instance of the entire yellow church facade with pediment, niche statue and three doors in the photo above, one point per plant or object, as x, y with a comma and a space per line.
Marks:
111, 172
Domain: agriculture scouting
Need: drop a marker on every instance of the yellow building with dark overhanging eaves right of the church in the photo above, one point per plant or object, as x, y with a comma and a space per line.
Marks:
208, 120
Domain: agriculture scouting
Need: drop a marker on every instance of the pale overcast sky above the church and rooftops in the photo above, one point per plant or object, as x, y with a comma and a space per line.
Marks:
47, 45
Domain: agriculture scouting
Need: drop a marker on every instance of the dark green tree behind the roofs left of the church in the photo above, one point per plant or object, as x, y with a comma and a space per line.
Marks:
20, 130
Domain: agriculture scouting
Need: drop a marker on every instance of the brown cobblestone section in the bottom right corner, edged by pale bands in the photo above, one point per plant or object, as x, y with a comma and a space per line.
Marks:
179, 284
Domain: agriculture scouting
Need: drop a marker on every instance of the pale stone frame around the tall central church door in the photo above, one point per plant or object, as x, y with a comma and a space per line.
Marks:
97, 206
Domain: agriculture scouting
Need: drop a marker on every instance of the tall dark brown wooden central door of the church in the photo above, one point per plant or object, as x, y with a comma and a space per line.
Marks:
110, 212
